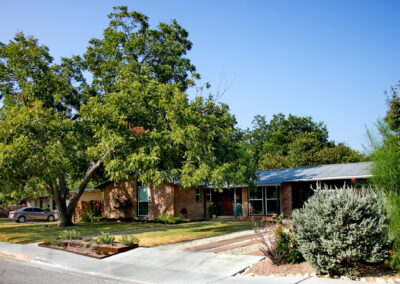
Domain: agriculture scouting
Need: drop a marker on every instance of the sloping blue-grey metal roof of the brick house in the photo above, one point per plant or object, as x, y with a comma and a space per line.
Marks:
323, 172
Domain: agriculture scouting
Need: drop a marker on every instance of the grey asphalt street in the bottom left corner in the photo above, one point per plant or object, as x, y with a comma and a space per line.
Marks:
15, 272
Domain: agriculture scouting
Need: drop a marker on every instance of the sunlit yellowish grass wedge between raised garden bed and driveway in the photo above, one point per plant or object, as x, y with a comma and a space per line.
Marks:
189, 231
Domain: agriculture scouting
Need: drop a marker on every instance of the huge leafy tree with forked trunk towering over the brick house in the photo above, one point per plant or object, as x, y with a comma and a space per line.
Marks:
58, 131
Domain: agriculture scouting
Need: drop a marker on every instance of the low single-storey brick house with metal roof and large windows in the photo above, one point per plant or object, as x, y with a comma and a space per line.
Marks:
276, 191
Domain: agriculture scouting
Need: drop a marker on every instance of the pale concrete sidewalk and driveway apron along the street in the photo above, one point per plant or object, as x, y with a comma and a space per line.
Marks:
154, 265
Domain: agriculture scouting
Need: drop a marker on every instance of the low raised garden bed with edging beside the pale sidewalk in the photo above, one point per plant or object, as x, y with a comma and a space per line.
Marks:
90, 249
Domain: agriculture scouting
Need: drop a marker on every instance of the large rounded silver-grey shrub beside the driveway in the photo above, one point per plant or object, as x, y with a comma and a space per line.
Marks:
338, 229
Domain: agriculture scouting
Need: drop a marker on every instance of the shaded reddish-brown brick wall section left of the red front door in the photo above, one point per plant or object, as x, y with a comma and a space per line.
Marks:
186, 198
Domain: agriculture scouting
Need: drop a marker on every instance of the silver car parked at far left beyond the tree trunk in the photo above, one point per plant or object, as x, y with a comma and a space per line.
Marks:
32, 213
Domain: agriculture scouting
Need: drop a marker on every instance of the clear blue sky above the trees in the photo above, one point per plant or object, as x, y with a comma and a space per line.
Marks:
331, 60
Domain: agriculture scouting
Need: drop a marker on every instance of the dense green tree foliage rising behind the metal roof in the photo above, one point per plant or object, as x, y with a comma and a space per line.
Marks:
293, 142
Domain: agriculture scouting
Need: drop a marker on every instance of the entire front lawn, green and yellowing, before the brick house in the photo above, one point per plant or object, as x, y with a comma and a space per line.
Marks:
35, 232
